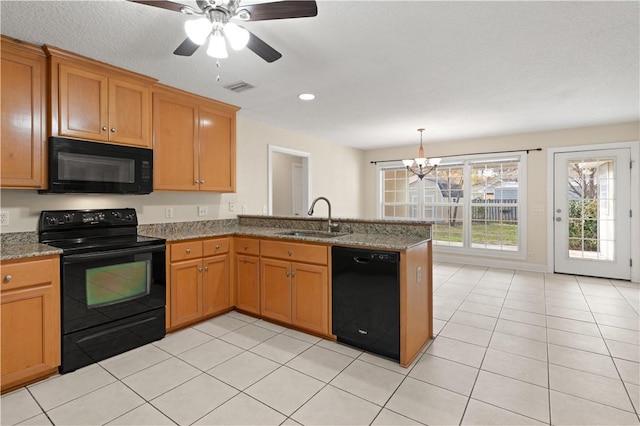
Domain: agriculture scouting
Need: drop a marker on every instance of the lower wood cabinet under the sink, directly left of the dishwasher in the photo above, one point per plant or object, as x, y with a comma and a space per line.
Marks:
294, 284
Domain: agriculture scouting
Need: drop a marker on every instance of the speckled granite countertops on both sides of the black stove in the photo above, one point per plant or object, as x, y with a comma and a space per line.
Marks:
354, 233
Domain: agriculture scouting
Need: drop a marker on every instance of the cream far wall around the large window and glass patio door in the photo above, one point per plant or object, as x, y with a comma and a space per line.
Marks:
536, 167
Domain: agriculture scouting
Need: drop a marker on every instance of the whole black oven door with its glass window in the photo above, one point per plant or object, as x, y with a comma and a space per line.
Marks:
101, 287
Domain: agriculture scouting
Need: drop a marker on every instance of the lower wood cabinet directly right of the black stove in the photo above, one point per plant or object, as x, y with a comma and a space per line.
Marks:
199, 280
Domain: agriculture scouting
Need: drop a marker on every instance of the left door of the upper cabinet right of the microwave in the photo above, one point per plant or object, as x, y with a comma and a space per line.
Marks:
175, 130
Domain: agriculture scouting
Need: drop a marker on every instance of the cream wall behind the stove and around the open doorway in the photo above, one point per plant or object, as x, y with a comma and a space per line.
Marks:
335, 174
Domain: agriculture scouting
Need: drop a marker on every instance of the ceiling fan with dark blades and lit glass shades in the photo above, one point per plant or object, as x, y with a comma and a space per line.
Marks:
215, 23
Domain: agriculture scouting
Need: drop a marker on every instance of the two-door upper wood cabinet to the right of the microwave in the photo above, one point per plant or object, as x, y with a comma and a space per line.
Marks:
194, 142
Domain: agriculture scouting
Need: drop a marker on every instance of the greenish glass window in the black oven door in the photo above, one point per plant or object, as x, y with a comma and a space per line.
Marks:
111, 284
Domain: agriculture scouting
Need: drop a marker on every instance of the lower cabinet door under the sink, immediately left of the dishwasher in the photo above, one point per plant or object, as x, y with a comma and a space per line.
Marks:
310, 293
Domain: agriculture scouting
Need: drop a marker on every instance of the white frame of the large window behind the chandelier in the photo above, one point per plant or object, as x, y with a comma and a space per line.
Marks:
467, 161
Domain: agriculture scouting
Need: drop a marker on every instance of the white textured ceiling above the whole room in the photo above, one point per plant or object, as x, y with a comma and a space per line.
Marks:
381, 69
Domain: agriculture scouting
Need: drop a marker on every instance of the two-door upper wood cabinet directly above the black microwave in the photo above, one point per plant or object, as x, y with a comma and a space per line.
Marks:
94, 101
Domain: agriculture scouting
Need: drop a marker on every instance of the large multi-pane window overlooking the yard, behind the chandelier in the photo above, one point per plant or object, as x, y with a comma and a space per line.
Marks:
476, 203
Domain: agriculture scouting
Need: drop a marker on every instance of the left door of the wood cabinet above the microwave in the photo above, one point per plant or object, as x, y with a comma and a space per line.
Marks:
83, 103
